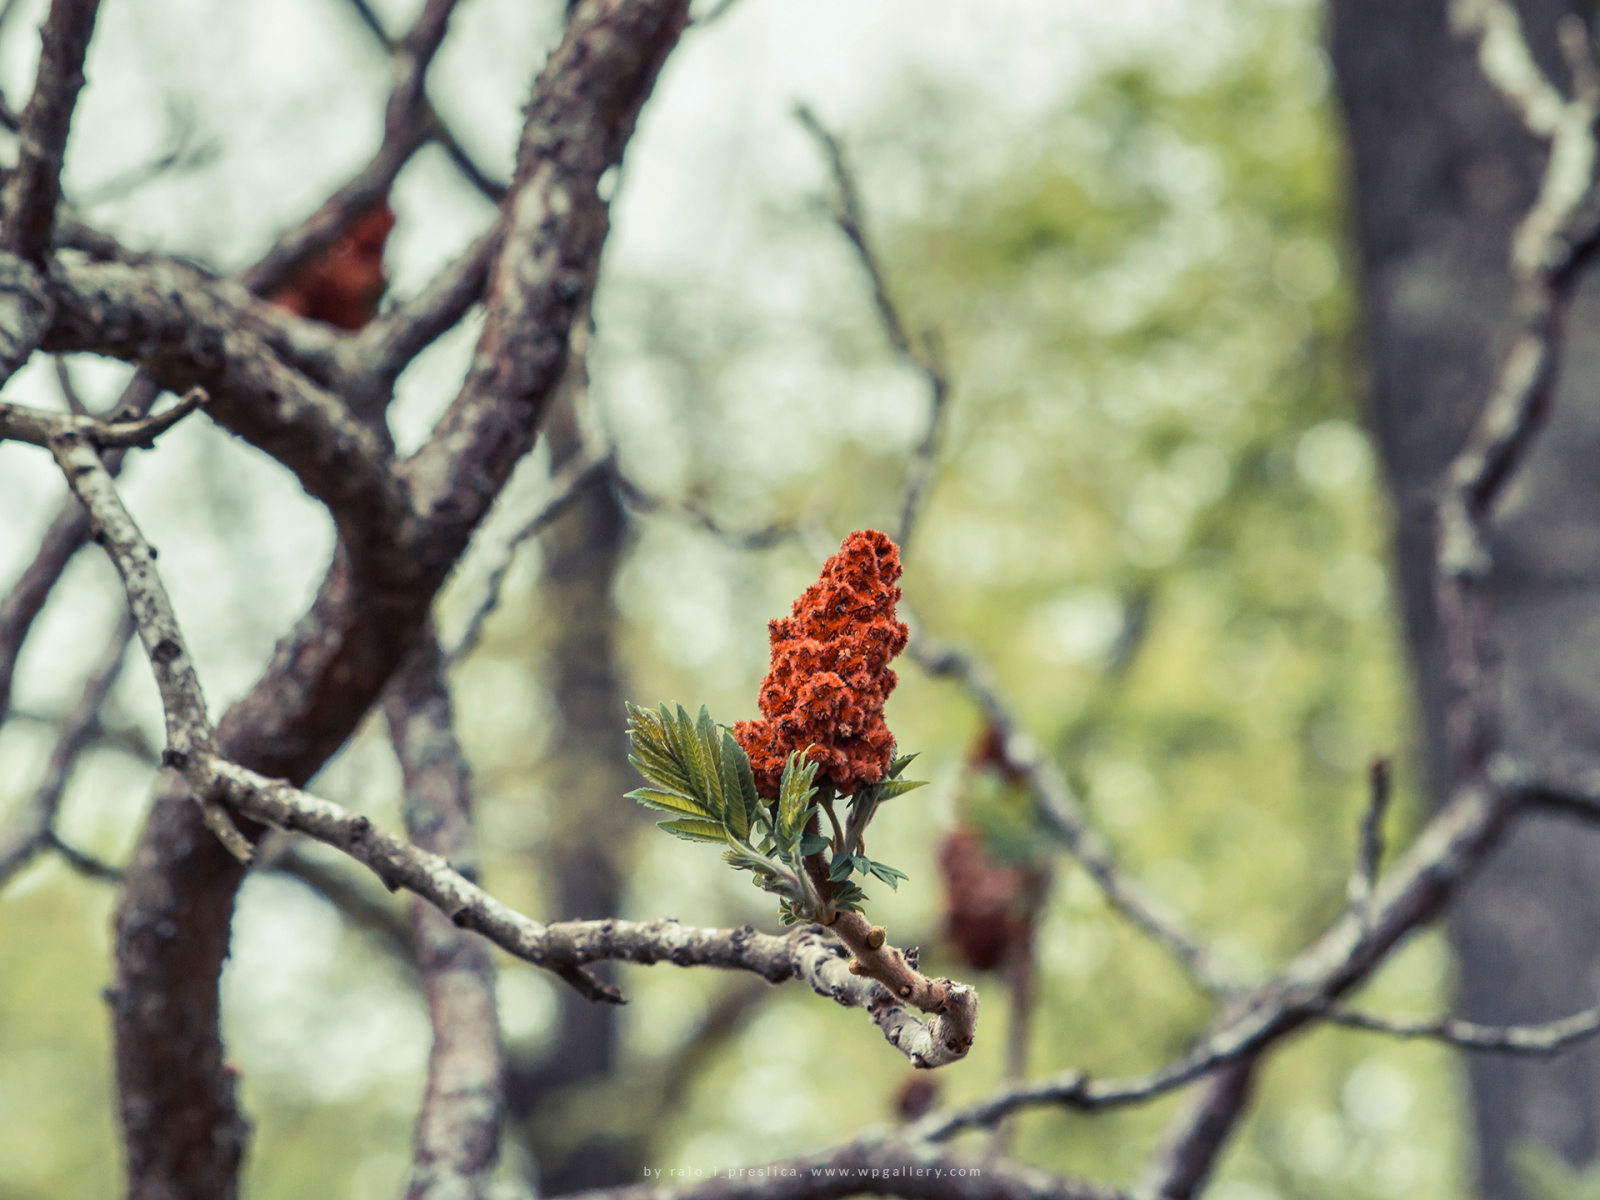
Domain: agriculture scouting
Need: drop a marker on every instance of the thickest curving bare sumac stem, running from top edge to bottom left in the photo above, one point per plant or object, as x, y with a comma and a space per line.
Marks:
185, 1135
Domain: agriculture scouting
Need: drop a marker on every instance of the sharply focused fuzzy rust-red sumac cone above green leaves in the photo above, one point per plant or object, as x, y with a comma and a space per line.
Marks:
831, 673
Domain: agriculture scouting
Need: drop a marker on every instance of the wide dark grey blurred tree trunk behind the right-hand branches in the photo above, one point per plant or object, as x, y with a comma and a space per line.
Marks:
1441, 175
